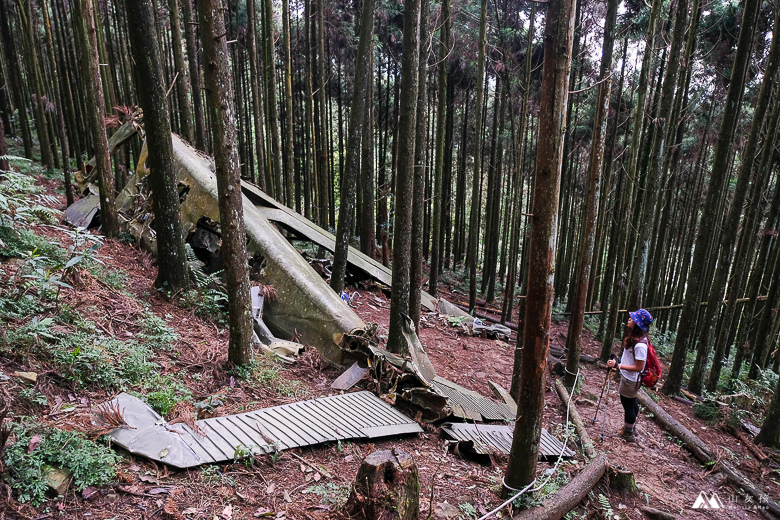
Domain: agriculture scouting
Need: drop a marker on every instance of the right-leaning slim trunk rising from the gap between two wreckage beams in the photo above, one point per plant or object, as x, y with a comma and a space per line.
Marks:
356, 114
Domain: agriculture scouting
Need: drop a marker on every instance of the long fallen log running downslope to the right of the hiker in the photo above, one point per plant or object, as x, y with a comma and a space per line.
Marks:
704, 454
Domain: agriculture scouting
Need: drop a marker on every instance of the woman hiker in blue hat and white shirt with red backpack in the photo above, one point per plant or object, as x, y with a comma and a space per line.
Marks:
631, 364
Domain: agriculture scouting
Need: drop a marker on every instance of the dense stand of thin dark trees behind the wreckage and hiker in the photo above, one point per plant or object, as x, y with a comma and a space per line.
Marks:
669, 194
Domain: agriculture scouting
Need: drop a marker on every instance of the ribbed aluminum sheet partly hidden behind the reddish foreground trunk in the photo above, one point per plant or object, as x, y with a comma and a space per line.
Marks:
500, 438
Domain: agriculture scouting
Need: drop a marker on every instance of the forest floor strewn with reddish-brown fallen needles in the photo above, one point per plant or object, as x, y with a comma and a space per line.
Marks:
119, 298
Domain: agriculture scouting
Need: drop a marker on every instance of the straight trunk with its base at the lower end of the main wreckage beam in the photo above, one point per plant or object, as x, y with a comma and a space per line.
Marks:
402, 228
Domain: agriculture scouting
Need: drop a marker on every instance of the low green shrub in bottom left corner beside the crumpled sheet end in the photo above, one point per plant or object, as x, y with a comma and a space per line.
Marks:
89, 463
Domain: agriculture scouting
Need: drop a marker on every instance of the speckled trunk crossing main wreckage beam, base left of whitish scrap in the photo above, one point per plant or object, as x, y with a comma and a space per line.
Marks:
219, 84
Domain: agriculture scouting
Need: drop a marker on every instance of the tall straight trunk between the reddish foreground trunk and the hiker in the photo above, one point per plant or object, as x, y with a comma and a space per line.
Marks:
574, 337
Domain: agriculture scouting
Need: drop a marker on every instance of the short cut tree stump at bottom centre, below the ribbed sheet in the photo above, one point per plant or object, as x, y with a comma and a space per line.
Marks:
387, 487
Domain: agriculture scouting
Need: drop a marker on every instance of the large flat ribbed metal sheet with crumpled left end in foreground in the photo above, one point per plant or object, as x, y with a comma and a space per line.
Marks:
358, 415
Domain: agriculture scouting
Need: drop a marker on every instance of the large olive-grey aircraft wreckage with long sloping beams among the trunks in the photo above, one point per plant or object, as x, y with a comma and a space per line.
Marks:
306, 309
